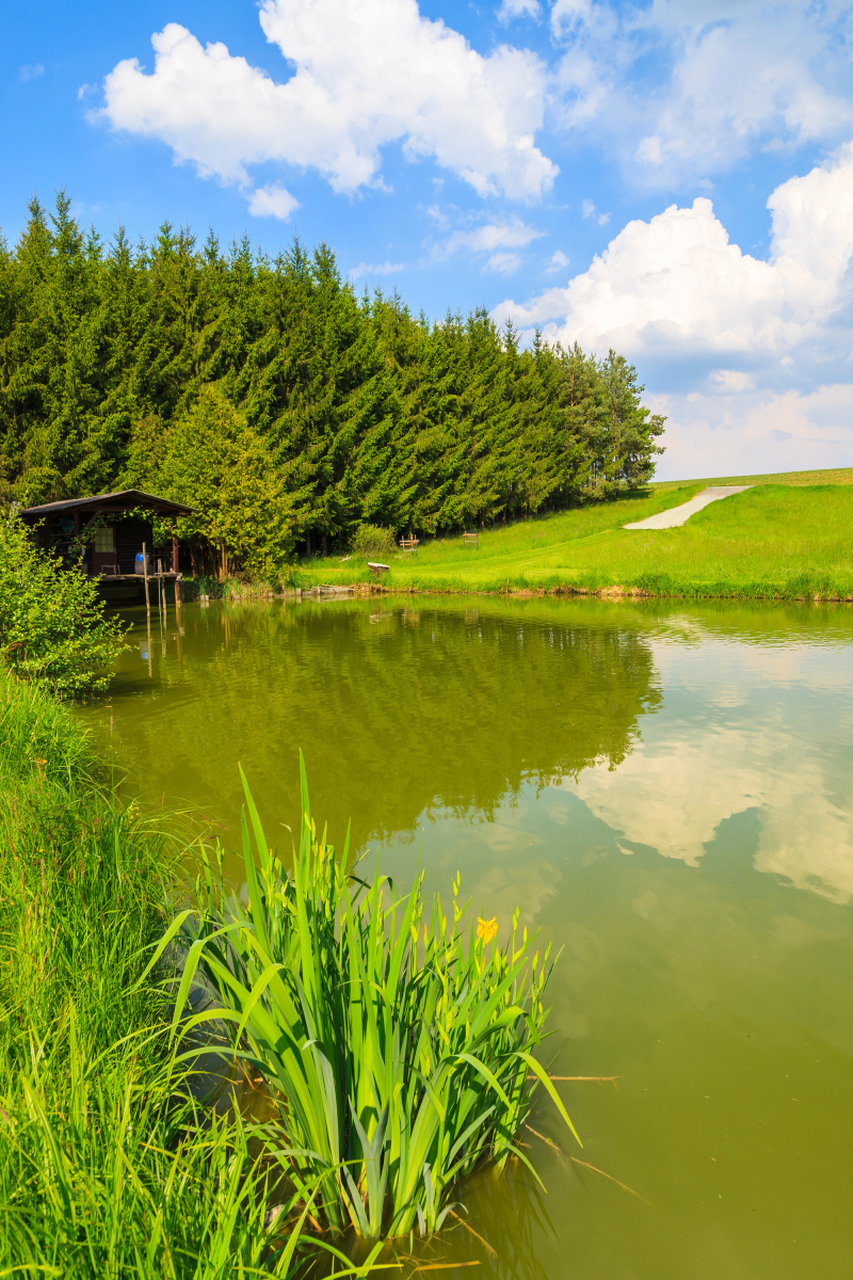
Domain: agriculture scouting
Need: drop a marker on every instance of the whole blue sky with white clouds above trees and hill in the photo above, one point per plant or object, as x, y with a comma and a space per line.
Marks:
673, 179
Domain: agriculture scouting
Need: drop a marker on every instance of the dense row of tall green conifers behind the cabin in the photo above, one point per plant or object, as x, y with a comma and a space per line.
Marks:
282, 405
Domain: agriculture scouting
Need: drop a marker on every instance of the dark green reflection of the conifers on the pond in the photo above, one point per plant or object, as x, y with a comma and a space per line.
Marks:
455, 710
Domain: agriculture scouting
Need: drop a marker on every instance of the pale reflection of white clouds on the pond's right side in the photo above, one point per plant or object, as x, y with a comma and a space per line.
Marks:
673, 794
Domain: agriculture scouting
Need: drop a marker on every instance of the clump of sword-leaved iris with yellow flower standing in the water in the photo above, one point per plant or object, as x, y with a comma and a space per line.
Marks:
399, 1052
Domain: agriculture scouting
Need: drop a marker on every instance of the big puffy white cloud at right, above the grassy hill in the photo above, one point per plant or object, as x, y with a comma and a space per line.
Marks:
677, 285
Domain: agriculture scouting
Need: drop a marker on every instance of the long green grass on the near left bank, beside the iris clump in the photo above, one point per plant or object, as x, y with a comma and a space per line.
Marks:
108, 1165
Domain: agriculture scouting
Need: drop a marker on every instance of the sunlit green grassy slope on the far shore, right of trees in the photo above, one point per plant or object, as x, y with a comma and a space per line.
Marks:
773, 542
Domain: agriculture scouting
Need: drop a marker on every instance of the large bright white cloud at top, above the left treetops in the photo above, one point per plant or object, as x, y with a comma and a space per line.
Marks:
367, 76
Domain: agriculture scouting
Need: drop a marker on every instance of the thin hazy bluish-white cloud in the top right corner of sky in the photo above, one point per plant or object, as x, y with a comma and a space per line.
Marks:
724, 75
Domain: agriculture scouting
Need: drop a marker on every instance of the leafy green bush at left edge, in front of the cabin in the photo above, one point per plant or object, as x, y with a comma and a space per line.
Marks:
53, 627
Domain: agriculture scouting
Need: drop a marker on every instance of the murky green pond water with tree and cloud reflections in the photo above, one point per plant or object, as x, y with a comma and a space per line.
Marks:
667, 792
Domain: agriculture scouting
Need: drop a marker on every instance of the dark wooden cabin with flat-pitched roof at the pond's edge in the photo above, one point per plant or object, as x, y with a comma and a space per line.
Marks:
113, 528
